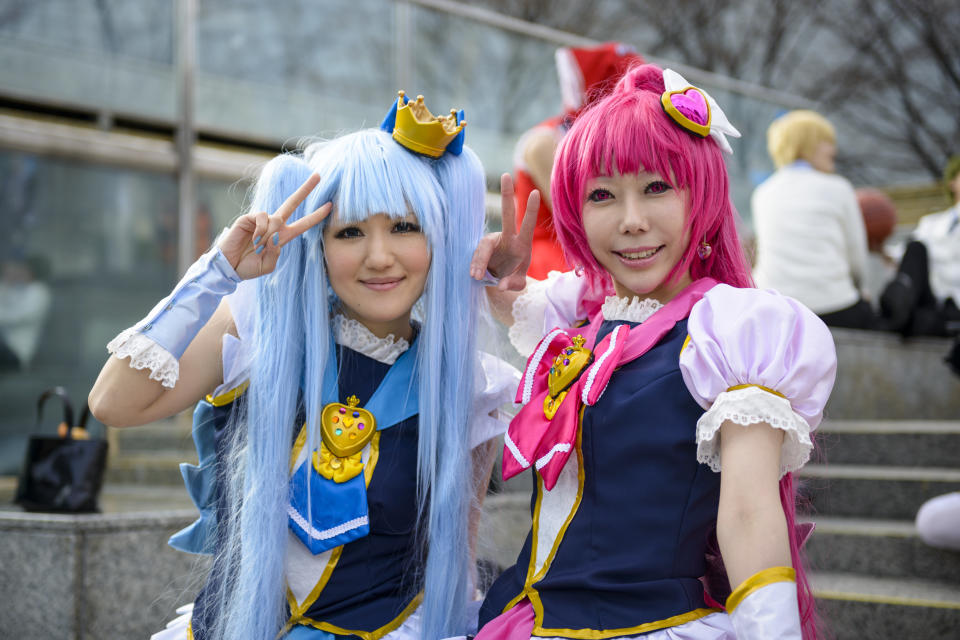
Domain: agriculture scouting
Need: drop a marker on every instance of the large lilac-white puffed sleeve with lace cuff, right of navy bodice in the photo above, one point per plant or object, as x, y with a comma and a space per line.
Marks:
757, 356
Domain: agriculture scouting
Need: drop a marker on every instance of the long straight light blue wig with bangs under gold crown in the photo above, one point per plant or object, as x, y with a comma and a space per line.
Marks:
363, 174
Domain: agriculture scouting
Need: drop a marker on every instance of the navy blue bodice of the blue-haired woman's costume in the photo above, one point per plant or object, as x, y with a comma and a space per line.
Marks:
378, 576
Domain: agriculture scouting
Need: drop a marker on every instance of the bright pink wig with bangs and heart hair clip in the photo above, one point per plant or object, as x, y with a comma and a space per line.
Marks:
627, 132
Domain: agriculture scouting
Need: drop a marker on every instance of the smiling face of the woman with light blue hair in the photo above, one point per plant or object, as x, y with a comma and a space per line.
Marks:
378, 268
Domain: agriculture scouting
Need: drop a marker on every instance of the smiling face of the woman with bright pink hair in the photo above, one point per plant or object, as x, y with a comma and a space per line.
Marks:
634, 225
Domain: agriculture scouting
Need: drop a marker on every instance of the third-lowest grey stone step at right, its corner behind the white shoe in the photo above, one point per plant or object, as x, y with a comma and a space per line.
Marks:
868, 491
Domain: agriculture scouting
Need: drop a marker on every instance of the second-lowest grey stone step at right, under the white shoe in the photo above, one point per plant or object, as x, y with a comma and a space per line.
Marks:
880, 548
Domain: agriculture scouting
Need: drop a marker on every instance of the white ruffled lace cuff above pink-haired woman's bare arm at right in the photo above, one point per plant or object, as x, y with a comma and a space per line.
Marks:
749, 406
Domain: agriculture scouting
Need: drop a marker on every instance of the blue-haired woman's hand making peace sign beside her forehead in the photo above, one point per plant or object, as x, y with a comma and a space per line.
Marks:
252, 245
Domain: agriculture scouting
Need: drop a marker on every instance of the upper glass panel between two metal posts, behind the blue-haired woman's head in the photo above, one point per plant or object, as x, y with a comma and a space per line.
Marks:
279, 71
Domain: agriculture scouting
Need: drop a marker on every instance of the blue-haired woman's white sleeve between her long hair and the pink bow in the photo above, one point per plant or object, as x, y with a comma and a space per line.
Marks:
495, 384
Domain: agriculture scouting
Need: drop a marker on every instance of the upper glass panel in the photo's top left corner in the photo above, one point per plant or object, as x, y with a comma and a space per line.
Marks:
112, 55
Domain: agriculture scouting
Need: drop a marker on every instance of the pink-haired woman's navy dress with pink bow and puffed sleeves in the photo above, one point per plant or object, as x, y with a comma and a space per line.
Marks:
625, 502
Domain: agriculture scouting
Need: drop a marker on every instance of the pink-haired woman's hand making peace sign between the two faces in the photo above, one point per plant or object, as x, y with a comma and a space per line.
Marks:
507, 253
